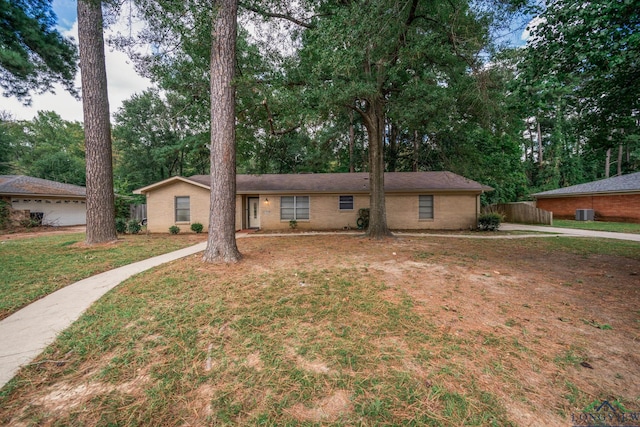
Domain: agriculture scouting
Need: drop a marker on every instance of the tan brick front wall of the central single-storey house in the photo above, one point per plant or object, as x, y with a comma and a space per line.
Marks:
452, 211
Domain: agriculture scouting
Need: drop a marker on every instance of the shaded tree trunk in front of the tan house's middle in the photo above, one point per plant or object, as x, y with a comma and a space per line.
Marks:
374, 123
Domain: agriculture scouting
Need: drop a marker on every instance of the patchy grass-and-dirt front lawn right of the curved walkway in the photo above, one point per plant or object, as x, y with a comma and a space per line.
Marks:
536, 329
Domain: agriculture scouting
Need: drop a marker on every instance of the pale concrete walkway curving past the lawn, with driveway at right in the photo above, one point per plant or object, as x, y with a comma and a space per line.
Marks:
26, 333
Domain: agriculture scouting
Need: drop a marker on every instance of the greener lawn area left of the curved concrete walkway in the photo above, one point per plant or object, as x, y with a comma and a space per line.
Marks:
36, 266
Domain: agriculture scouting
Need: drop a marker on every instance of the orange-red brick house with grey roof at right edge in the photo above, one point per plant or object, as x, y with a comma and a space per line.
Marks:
612, 199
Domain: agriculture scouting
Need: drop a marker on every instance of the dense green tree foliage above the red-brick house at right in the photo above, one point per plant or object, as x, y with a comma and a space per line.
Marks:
579, 74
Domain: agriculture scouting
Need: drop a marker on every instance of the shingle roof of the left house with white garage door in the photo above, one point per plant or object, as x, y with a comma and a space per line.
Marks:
20, 185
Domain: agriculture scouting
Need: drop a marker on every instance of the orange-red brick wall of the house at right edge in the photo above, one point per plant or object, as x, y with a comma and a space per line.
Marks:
616, 207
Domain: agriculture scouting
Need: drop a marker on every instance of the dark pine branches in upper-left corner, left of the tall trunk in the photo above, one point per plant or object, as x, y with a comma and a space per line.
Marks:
33, 54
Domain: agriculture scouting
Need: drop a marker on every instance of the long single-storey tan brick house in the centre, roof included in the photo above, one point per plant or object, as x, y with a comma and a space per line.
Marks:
414, 200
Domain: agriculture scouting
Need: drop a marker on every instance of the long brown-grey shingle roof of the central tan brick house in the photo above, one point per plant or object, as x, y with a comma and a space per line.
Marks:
349, 182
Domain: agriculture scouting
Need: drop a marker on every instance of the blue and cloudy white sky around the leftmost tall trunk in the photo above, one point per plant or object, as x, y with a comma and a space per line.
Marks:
122, 79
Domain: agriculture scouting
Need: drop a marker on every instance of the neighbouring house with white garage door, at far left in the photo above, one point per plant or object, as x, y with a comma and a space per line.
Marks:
52, 203
